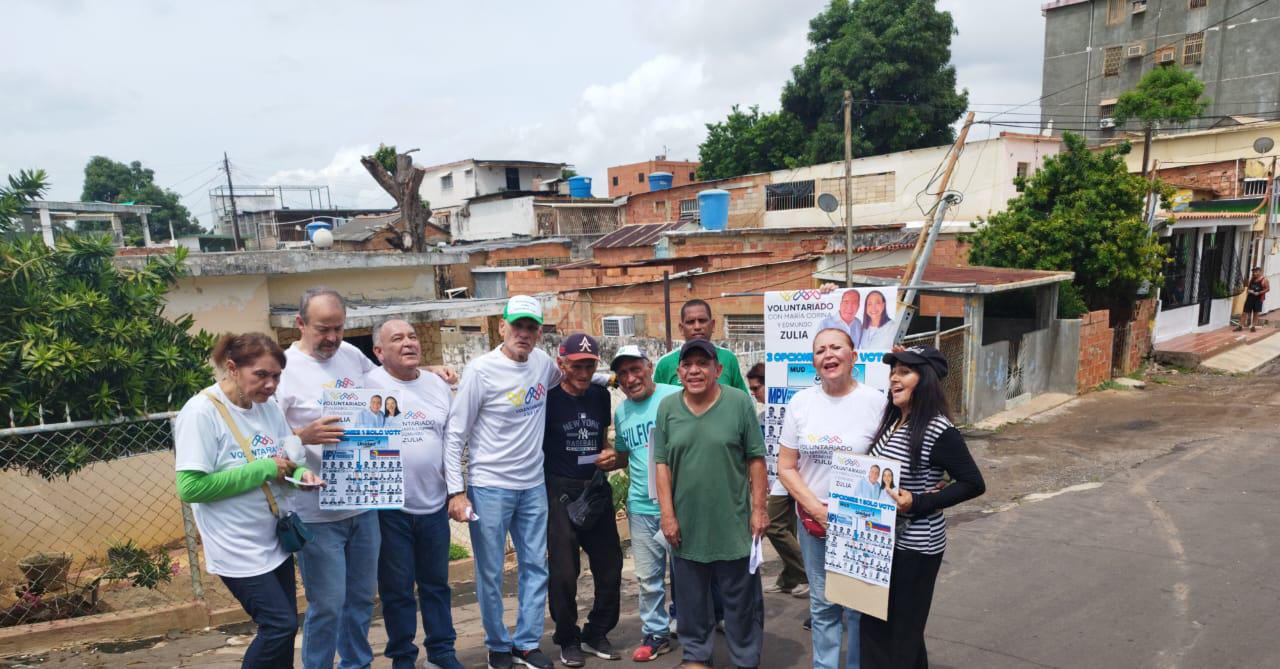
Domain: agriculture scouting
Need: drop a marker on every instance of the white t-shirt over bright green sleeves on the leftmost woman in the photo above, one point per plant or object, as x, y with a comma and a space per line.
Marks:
239, 533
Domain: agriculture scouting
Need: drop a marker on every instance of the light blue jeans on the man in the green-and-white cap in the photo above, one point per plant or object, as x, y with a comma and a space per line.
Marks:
523, 515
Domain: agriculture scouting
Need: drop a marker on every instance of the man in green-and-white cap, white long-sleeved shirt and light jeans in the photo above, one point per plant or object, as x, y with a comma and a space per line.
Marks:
500, 415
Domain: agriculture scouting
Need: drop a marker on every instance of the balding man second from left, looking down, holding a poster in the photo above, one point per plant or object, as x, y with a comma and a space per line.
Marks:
337, 563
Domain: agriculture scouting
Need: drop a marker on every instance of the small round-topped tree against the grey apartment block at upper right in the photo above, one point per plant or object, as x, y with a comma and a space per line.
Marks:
1165, 95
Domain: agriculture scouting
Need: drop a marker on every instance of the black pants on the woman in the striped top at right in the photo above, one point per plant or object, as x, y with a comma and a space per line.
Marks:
899, 644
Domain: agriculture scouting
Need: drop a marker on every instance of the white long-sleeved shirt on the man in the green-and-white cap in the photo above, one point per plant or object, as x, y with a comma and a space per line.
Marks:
500, 414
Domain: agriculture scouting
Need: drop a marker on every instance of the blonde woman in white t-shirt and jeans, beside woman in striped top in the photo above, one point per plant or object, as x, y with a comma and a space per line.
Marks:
838, 415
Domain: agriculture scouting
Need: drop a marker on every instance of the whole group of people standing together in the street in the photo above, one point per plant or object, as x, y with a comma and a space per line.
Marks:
522, 453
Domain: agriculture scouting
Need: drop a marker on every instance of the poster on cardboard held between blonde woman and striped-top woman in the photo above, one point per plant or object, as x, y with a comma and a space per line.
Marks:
862, 515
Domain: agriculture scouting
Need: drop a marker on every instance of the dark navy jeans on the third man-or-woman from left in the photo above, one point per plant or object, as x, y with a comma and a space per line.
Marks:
417, 552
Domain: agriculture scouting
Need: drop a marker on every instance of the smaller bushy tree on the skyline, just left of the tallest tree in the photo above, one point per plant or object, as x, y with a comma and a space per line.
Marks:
749, 143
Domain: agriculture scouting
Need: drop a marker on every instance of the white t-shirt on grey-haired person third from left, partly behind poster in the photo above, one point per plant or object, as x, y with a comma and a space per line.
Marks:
424, 406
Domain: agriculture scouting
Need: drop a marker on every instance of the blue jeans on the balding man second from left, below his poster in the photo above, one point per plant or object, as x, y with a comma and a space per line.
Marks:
340, 576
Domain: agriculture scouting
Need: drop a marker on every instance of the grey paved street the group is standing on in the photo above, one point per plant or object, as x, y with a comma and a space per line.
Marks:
1131, 529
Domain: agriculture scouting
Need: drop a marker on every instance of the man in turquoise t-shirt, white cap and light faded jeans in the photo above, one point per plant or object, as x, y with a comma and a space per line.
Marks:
634, 423
